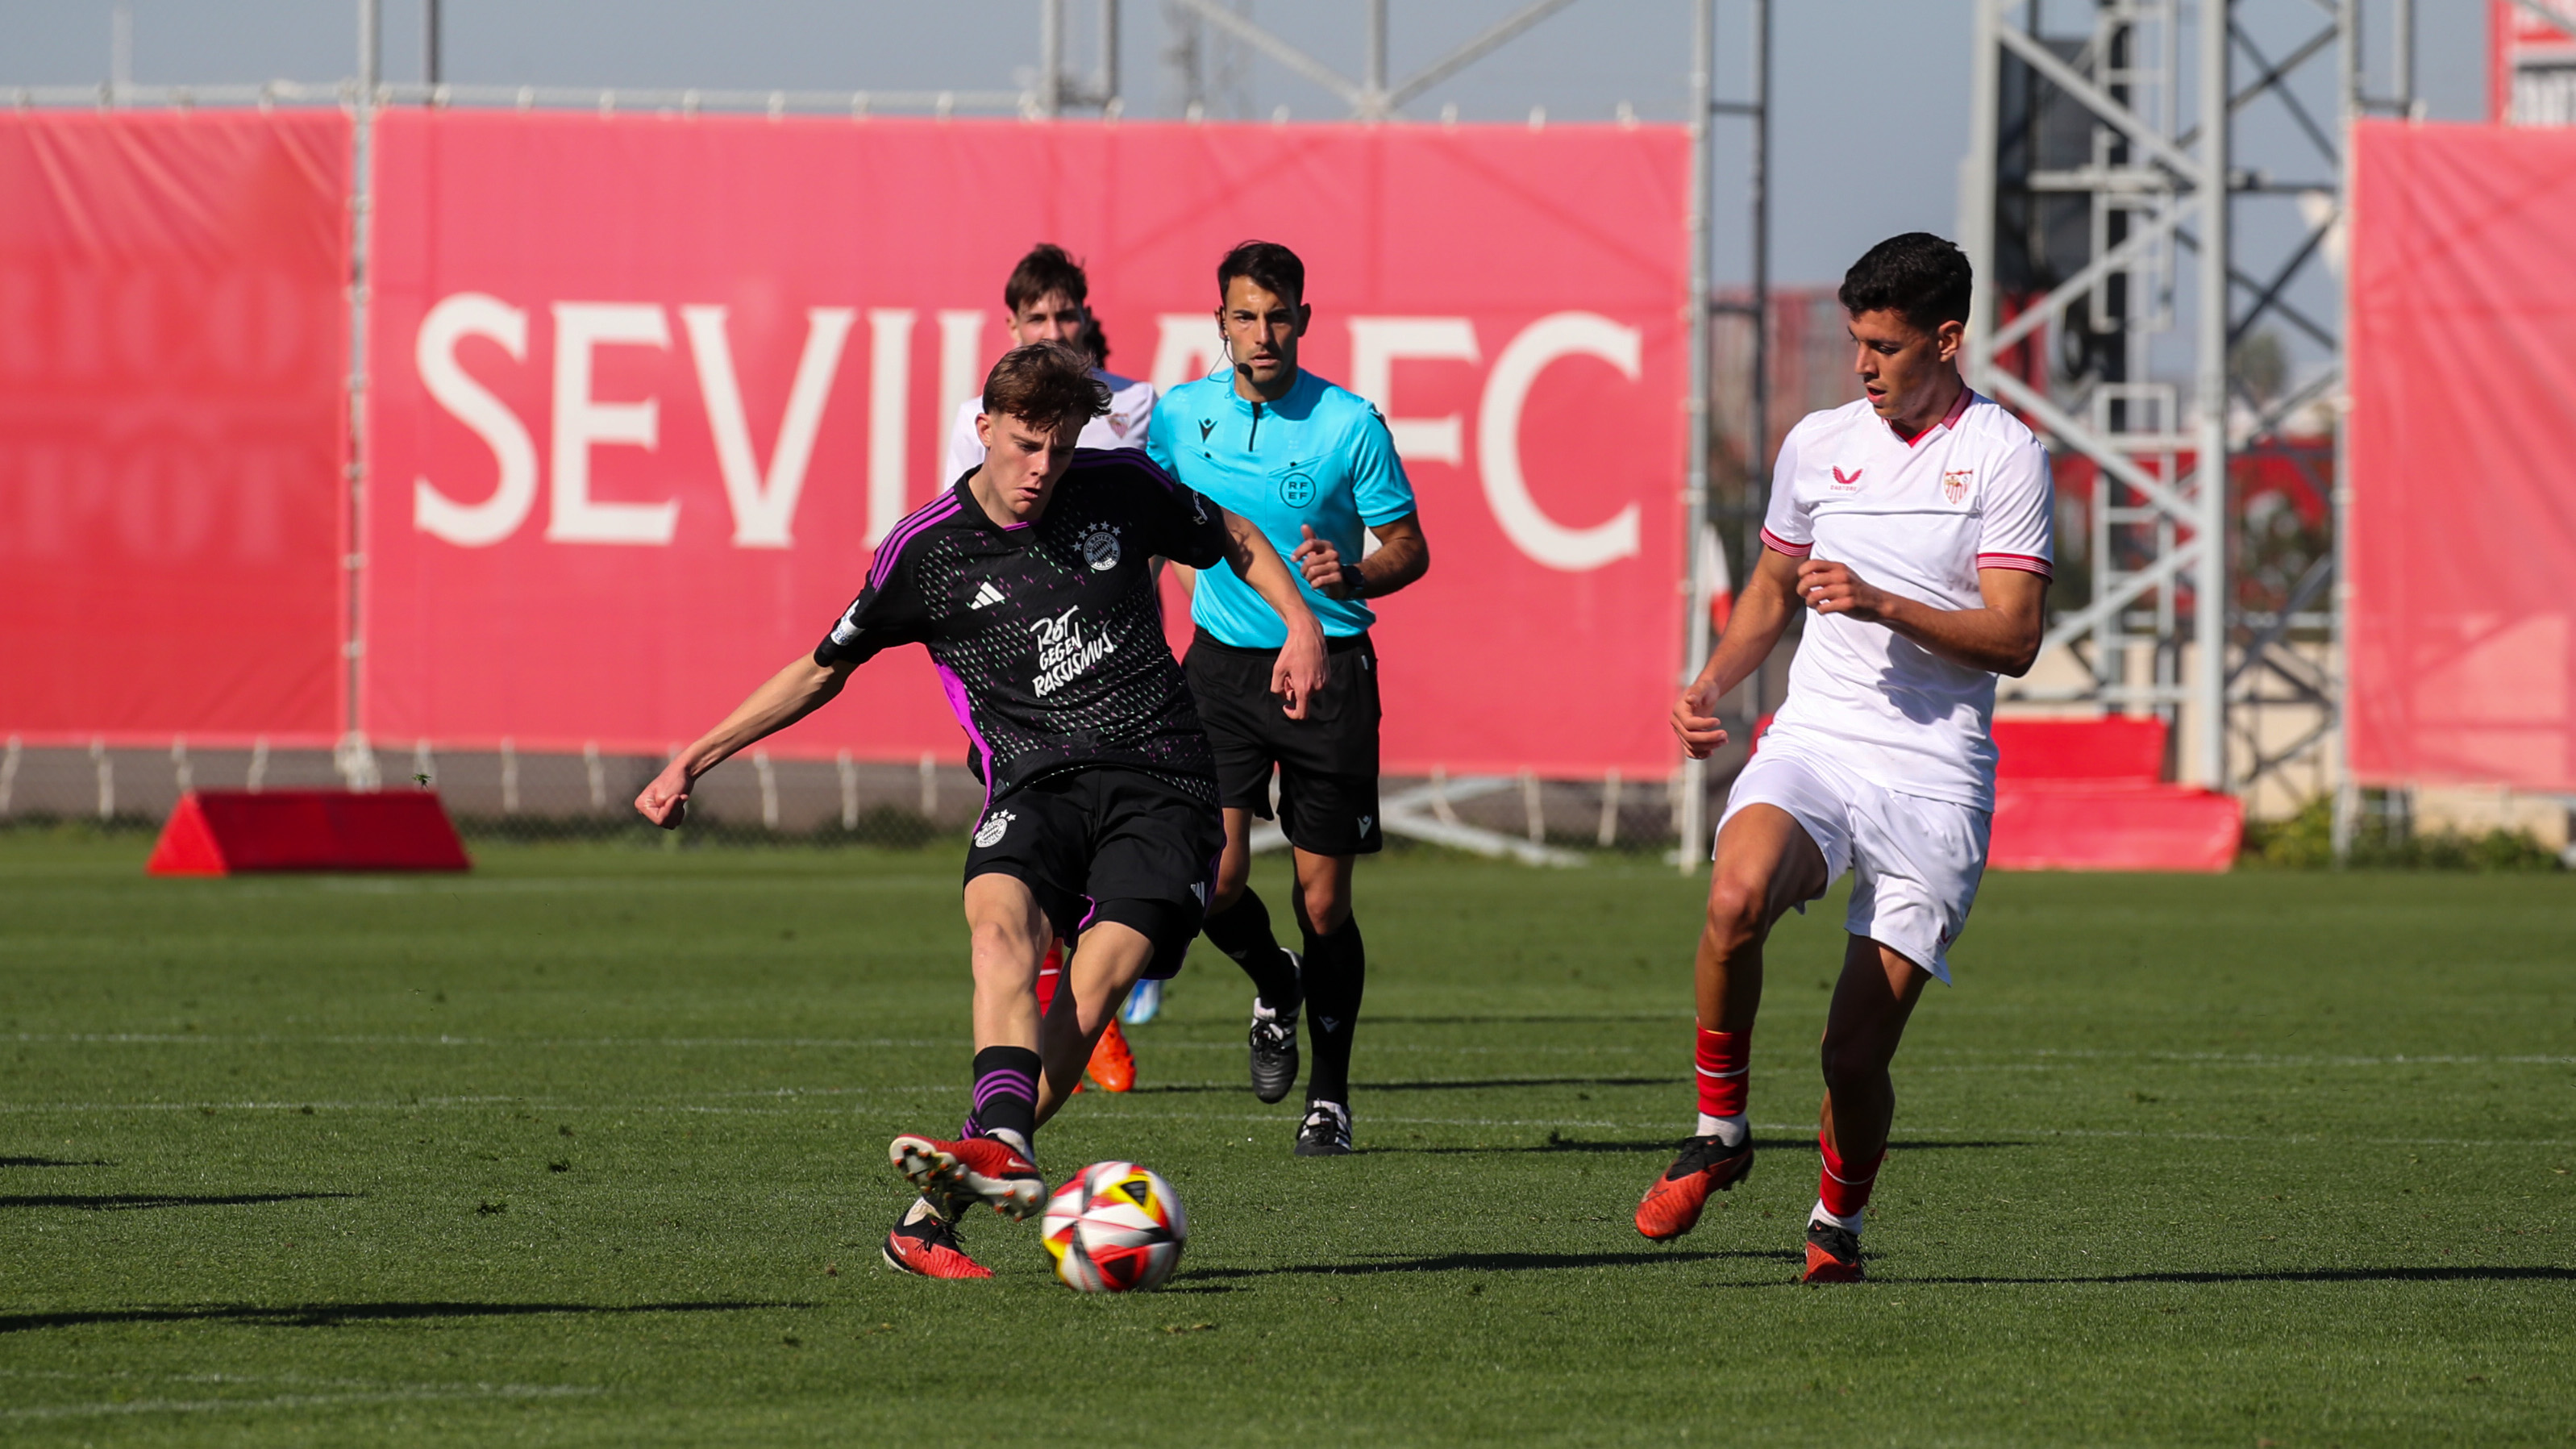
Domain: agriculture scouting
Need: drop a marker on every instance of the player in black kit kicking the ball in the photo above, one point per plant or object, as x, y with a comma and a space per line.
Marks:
1032, 587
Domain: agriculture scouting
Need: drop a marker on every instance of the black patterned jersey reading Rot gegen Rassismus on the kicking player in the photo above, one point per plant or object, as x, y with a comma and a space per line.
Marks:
1050, 636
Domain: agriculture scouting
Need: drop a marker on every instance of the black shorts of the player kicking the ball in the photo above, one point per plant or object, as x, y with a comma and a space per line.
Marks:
1104, 834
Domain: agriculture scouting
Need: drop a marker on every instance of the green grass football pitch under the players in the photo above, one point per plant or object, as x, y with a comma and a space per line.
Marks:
589, 1149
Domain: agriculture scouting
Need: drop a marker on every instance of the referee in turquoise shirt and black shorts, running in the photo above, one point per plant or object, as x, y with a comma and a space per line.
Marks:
1310, 465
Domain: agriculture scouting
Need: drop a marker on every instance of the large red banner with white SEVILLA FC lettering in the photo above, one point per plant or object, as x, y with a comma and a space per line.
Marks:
650, 388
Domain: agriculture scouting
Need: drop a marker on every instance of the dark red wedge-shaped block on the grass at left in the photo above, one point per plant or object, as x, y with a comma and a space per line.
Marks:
223, 831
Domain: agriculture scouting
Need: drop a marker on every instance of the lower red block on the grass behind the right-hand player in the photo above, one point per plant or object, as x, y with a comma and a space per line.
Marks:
2114, 829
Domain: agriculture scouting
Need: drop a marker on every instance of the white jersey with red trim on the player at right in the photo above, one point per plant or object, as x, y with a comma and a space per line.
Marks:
1915, 520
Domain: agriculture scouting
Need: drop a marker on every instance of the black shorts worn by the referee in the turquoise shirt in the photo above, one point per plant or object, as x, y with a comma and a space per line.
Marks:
1328, 762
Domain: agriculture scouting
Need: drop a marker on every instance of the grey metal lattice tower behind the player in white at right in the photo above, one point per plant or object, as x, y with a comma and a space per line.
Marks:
2132, 184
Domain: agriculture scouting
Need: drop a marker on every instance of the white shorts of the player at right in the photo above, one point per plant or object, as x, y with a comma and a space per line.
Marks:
1915, 860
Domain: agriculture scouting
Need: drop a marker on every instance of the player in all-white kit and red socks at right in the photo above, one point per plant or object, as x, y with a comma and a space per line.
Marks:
1915, 527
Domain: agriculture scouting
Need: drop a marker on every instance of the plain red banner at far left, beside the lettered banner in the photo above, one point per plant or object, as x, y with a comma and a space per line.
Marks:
174, 344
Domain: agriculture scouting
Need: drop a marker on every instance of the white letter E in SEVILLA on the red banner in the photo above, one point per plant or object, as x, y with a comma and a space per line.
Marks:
583, 422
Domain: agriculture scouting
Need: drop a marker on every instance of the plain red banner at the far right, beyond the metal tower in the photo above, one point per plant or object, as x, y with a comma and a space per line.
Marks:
2461, 440
